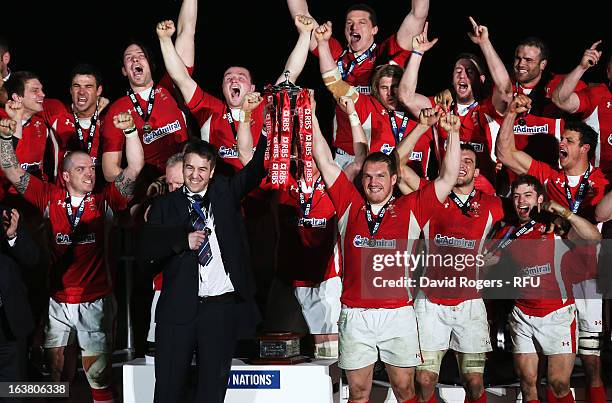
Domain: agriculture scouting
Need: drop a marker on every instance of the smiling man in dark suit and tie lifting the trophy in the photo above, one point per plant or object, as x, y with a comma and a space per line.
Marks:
196, 235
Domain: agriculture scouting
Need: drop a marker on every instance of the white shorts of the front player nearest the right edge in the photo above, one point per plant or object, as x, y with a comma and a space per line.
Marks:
589, 305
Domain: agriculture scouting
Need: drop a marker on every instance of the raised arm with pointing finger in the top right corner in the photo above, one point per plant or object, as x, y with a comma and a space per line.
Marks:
564, 96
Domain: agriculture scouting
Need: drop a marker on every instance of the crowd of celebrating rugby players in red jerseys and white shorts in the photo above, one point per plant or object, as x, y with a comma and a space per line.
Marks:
507, 156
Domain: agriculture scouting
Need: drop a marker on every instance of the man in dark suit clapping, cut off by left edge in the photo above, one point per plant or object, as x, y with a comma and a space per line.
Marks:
17, 251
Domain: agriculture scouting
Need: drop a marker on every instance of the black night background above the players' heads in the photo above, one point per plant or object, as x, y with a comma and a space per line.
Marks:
50, 38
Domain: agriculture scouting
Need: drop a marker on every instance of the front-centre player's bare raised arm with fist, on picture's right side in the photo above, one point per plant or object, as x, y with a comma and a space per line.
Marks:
449, 171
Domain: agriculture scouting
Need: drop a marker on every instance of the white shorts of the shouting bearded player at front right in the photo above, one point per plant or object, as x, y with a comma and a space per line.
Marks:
555, 333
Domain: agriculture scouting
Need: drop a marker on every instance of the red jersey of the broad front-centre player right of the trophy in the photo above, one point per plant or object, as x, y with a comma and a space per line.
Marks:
363, 282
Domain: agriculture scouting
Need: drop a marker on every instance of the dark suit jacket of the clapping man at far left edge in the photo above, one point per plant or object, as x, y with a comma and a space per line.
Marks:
24, 255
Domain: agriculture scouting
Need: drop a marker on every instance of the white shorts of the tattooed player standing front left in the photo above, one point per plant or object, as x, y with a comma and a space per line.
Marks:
90, 324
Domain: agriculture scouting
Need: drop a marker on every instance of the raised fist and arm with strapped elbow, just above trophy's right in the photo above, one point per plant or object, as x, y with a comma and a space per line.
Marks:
329, 71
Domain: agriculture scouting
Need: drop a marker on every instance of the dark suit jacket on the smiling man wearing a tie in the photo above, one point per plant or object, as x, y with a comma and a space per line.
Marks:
163, 245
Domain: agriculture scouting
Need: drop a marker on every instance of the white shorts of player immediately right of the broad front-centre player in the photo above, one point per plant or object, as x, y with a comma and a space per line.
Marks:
462, 328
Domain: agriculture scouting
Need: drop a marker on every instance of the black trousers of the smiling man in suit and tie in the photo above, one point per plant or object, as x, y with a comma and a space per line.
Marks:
213, 335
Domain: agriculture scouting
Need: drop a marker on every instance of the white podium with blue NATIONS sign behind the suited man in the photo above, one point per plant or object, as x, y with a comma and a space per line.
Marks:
301, 383
